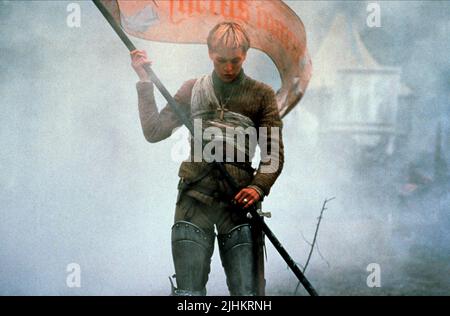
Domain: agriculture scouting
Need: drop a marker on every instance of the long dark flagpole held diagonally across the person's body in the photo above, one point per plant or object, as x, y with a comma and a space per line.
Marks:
252, 211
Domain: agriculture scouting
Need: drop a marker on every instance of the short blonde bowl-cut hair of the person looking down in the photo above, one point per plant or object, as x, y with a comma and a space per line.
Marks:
228, 34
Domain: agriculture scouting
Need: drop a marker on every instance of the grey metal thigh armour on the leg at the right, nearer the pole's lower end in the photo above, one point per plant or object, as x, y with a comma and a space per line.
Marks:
238, 260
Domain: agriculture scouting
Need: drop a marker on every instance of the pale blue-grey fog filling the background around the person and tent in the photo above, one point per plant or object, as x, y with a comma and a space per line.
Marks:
80, 184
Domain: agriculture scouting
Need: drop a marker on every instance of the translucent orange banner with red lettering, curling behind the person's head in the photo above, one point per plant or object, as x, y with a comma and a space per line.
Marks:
272, 26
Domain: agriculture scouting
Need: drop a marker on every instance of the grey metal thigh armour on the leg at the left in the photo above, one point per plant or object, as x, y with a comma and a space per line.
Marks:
192, 249
